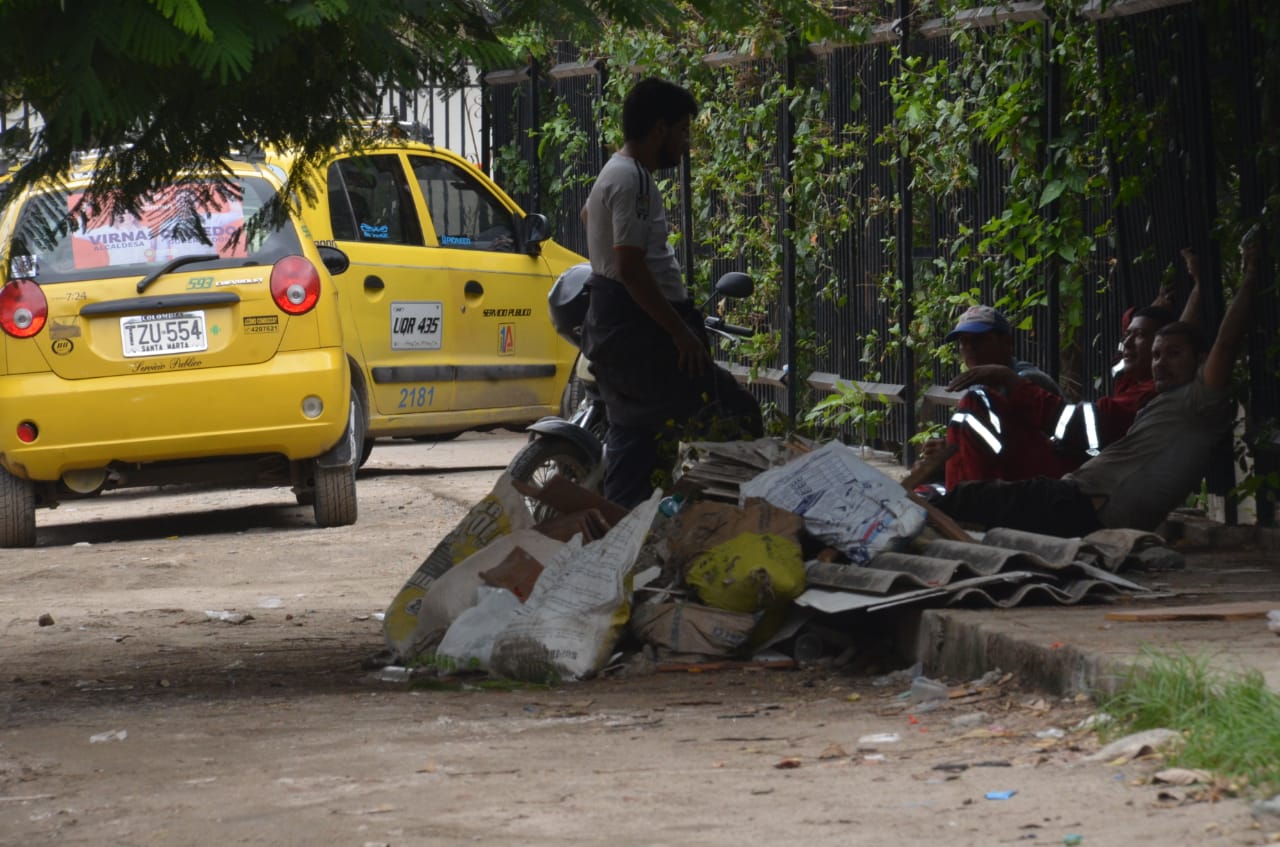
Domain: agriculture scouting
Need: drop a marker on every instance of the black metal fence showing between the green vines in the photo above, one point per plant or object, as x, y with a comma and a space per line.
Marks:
1158, 53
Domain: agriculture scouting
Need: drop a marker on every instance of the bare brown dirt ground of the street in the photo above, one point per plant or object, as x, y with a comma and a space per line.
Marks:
143, 715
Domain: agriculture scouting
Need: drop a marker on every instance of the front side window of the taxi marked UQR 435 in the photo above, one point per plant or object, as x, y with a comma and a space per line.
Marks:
465, 214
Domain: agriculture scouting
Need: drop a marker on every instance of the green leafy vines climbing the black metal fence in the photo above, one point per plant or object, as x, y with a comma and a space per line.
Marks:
959, 104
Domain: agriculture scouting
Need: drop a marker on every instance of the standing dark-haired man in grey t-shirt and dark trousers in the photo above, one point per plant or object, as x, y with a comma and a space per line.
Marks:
643, 335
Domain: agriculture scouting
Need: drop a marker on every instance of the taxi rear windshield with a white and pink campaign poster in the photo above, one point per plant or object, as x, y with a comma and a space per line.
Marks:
61, 239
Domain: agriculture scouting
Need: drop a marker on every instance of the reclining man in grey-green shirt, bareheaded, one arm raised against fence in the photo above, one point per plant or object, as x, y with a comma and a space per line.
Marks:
1139, 479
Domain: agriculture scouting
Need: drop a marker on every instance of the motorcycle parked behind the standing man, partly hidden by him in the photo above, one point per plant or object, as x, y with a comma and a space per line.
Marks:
573, 445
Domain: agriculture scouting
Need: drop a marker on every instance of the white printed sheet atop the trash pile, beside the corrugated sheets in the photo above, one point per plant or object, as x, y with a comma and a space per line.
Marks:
844, 502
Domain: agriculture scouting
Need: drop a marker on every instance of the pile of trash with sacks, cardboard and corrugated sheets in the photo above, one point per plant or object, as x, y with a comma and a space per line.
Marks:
756, 541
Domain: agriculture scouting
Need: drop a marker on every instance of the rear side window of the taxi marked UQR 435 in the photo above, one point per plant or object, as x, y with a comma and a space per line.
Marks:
371, 202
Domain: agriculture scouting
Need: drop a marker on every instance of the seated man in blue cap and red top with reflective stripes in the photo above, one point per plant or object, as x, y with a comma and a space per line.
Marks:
990, 442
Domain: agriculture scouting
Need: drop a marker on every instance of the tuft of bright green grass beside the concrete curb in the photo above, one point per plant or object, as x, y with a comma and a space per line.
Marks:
1231, 721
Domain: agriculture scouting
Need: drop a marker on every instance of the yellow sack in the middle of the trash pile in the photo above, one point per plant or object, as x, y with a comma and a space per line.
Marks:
752, 573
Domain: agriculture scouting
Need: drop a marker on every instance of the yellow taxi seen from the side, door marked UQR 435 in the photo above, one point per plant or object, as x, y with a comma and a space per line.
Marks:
445, 301
